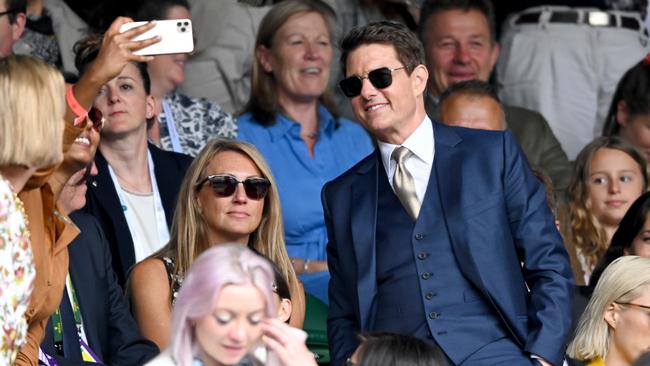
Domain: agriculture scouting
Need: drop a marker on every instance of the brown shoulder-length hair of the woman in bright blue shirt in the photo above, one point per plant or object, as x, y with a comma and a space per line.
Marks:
263, 101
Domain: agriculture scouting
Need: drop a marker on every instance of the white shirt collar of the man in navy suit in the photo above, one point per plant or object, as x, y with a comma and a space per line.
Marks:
421, 143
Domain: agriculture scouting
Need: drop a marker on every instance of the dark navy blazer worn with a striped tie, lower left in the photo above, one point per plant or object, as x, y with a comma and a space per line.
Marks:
111, 331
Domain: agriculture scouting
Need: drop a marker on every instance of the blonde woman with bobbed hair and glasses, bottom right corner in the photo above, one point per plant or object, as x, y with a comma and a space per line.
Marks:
615, 327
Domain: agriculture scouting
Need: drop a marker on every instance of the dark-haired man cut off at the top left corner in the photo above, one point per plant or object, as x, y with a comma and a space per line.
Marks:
12, 24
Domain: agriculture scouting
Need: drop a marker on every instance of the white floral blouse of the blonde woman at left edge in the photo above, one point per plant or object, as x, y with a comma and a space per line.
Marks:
17, 273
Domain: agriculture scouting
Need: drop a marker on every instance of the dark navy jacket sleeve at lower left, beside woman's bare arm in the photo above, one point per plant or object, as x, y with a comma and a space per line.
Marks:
126, 345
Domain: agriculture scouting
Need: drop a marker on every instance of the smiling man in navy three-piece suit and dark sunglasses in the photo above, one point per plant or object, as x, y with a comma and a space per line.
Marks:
443, 232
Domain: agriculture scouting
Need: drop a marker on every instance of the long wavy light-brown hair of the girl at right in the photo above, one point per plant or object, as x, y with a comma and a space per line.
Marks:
584, 231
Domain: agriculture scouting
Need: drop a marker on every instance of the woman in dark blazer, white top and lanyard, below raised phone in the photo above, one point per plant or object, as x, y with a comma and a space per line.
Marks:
134, 192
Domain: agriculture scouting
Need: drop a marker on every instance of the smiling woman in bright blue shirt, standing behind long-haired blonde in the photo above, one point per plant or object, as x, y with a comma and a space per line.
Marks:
290, 119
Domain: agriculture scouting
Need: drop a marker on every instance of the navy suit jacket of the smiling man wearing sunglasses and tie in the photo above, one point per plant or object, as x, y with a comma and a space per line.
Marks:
496, 215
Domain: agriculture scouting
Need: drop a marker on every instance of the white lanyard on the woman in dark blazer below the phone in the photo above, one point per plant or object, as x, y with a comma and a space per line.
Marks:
159, 211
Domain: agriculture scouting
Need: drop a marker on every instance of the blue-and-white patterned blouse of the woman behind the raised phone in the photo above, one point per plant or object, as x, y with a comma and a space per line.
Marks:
197, 121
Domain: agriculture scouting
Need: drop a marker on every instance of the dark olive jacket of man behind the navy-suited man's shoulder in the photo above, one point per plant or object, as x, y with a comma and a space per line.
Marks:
534, 135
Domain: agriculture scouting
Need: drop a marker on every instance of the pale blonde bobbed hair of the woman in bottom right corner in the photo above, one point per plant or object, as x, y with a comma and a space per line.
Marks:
622, 282
